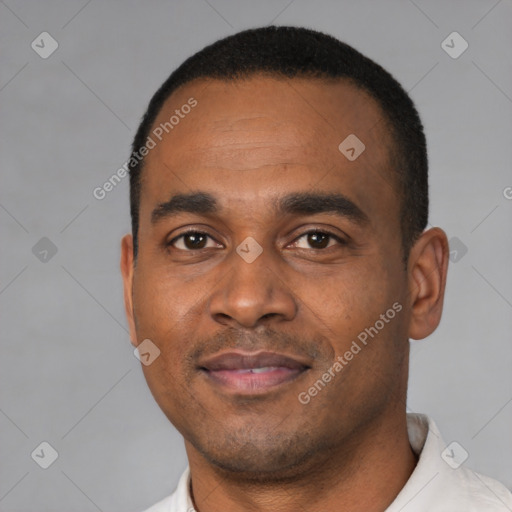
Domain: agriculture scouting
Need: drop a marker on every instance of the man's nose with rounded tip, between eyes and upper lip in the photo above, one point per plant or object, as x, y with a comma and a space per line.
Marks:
252, 294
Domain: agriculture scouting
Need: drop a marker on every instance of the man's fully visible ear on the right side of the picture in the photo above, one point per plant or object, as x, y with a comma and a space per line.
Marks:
427, 269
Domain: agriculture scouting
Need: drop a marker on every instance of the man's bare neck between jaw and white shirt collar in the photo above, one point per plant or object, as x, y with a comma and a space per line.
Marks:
366, 473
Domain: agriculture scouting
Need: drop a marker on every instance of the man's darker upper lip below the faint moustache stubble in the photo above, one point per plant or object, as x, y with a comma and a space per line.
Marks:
242, 361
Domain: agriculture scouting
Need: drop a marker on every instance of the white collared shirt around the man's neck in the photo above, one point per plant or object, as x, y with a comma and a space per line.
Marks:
439, 482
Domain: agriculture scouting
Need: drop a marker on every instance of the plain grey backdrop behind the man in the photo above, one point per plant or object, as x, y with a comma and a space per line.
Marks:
67, 373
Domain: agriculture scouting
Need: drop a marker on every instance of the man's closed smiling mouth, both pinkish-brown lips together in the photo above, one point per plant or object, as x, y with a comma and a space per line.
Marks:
254, 373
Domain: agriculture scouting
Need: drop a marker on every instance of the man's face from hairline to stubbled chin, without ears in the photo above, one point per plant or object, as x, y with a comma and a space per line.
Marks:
322, 278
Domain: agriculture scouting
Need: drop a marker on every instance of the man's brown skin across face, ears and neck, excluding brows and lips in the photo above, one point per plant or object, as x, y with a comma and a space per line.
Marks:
247, 143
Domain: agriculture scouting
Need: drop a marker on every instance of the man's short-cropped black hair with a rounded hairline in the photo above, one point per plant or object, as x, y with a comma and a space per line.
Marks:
288, 52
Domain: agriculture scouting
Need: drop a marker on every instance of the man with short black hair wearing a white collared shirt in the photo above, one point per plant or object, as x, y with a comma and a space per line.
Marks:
277, 267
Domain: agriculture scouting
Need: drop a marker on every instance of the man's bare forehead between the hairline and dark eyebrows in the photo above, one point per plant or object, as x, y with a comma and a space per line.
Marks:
247, 139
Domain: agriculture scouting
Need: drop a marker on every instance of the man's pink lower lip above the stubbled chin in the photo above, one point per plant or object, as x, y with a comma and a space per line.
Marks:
251, 383
